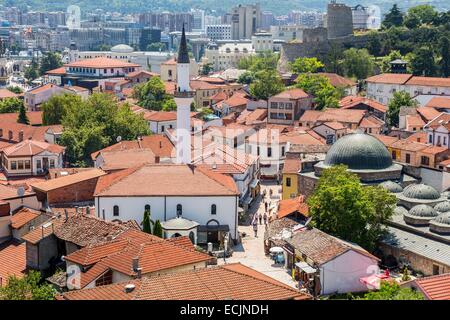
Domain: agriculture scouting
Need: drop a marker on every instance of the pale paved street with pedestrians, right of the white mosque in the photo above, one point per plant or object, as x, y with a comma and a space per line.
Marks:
251, 251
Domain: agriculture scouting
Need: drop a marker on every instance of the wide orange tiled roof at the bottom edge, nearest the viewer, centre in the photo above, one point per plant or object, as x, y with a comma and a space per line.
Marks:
233, 282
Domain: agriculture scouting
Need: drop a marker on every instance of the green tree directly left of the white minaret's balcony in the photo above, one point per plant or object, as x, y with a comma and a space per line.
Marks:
152, 95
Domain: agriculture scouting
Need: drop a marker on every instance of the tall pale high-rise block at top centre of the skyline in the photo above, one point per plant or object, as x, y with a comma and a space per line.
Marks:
245, 21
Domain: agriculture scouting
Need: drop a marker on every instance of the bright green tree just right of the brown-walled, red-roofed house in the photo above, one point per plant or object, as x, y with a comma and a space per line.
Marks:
325, 95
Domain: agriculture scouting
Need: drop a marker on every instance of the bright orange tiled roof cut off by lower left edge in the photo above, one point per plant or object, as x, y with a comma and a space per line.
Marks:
13, 261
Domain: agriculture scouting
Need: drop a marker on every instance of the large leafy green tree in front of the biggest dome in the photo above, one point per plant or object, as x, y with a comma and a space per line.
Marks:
342, 207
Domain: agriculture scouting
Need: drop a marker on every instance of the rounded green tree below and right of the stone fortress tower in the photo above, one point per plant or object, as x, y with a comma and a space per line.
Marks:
358, 63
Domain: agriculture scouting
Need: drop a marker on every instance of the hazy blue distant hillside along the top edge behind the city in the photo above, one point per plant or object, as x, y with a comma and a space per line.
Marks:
277, 6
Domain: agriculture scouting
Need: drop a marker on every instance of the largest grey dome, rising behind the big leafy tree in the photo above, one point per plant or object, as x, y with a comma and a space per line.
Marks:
359, 151
